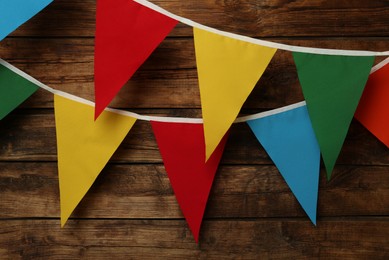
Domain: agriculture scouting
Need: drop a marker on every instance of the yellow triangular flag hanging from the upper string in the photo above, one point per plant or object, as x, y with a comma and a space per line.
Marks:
228, 70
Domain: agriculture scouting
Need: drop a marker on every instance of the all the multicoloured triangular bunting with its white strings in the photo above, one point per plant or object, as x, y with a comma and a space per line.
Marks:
229, 66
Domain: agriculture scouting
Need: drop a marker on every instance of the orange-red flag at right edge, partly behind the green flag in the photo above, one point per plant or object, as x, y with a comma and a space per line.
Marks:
373, 108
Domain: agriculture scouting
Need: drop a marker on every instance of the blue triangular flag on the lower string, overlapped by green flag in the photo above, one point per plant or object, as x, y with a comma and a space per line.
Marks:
289, 140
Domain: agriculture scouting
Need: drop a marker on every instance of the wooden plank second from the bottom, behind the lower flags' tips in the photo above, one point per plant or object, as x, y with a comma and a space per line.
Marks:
30, 190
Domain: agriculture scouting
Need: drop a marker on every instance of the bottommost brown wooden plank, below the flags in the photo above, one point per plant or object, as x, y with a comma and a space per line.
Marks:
126, 239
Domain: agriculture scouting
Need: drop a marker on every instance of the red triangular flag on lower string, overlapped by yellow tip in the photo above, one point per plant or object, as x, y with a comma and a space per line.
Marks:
182, 148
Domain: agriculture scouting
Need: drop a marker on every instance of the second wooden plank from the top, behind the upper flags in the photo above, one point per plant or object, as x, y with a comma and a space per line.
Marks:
167, 80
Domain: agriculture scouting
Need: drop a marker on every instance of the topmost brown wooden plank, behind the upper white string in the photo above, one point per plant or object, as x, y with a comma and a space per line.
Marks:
249, 17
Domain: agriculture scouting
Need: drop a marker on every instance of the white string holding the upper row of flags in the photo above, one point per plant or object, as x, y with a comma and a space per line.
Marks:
280, 46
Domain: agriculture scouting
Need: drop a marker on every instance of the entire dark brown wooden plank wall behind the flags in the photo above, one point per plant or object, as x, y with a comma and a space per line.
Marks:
131, 211
